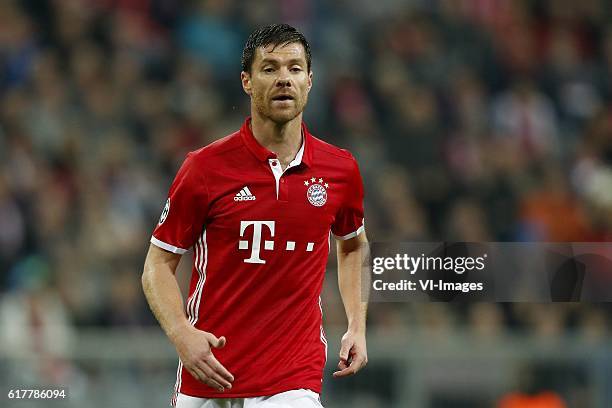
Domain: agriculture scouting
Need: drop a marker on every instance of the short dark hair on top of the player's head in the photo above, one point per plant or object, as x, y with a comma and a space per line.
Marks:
276, 34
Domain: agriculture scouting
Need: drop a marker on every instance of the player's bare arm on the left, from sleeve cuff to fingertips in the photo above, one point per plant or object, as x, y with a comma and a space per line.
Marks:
193, 346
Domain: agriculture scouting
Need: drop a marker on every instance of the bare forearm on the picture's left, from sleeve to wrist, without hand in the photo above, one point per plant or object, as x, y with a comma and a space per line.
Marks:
163, 294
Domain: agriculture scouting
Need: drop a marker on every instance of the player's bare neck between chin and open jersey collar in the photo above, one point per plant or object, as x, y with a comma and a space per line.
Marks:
283, 139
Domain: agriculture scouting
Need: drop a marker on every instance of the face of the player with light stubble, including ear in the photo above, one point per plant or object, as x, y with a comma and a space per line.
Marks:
279, 82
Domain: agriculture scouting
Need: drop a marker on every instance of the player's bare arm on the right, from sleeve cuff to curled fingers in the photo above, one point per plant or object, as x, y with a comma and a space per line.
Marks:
353, 351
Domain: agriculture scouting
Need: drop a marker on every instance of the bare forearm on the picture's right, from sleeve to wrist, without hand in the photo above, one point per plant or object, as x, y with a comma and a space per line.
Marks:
350, 260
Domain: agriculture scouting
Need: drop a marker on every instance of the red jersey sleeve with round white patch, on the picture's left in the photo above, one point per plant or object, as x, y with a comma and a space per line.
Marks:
184, 214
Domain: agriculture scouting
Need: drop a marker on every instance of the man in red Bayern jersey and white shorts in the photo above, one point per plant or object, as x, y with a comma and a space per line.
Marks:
258, 207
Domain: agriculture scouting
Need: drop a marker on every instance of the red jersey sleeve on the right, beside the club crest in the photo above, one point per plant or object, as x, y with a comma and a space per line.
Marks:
349, 218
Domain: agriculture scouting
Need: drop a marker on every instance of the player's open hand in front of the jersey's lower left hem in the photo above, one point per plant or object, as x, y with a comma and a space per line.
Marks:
194, 348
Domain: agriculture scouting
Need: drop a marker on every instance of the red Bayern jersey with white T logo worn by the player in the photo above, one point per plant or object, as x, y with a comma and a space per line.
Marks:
261, 242
